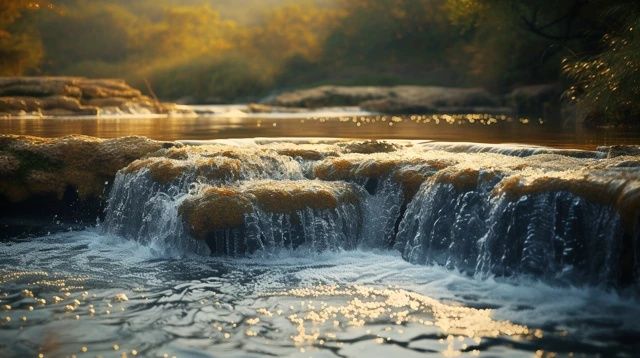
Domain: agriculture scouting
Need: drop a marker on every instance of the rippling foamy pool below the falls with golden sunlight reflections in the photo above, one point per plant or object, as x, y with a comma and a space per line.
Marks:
105, 295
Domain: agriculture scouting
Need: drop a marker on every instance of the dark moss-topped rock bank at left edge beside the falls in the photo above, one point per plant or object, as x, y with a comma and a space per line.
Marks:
65, 177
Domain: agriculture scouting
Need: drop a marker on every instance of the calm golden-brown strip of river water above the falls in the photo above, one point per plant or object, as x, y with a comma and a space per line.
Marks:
230, 122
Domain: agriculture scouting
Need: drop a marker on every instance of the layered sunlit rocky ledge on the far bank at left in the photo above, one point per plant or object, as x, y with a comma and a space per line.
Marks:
72, 96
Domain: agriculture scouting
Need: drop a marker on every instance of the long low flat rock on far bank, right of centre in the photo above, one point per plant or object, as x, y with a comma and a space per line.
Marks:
397, 100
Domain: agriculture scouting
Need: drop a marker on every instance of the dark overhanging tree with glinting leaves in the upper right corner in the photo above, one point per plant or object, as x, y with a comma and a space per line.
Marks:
593, 42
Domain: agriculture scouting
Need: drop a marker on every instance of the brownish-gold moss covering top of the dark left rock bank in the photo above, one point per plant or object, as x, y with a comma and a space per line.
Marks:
48, 166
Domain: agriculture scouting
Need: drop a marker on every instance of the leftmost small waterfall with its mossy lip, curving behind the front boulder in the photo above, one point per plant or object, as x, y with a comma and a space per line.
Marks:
146, 196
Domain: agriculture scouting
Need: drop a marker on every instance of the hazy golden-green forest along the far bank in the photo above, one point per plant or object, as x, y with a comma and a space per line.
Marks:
218, 51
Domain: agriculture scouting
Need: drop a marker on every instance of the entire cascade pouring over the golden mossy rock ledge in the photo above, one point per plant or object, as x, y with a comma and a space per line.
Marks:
558, 215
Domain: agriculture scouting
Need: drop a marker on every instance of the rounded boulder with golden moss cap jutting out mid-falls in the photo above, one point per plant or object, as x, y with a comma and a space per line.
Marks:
220, 214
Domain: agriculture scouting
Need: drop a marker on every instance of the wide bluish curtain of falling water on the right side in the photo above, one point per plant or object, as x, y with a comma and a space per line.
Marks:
556, 235
